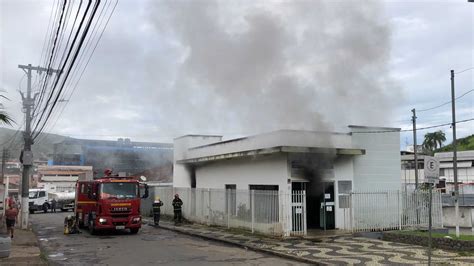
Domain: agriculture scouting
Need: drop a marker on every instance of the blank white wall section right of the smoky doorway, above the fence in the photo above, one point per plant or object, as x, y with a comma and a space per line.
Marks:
379, 168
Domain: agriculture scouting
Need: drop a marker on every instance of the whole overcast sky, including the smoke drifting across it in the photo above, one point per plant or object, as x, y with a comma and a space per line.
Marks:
163, 69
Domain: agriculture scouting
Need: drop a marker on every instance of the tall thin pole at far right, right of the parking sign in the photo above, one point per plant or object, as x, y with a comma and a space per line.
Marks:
455, 156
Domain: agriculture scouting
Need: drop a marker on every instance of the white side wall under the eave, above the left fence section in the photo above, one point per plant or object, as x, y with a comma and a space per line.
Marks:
268, 170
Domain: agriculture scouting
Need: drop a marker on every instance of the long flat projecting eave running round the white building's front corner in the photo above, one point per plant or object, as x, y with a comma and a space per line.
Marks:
273, 150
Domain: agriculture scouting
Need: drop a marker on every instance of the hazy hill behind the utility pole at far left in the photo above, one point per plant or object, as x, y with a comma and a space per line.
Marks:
42, 149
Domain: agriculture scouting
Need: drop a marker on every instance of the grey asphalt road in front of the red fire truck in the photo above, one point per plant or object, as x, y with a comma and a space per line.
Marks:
150, 246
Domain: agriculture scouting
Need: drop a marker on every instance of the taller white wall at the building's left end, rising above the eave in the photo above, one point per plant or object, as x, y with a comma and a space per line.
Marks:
181, 175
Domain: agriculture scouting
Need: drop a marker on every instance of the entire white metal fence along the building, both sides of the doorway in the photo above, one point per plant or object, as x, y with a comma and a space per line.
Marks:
283, 214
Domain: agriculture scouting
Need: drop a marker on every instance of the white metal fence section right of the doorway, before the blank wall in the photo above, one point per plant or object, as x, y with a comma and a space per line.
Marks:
392, 210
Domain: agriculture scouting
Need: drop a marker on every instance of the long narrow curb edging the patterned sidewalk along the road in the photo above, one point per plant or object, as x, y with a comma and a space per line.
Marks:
241, 245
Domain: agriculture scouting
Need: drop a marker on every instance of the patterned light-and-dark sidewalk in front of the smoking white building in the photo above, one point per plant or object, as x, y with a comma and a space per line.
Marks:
327, 250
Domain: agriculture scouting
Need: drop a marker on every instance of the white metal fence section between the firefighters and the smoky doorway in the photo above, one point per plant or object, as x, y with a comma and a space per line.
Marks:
267, 212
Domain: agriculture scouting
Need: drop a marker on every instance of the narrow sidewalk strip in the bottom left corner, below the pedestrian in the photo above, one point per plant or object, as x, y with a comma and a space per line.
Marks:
24, 250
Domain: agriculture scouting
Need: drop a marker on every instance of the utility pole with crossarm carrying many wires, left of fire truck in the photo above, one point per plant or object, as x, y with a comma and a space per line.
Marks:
26, 154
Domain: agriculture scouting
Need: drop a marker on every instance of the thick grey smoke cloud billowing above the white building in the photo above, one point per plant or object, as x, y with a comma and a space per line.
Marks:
252, 67
